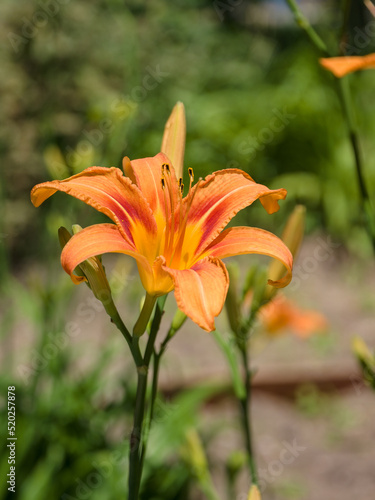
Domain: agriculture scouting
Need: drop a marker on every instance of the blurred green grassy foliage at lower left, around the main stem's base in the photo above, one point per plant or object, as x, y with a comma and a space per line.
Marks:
72, 431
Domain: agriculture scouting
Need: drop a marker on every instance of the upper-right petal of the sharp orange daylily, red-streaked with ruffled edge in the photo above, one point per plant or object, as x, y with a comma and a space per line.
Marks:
218, 198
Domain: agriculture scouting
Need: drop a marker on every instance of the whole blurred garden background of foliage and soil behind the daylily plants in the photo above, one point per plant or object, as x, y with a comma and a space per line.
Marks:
85, 83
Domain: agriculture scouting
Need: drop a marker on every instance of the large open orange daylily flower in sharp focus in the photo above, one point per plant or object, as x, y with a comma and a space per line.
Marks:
176, 241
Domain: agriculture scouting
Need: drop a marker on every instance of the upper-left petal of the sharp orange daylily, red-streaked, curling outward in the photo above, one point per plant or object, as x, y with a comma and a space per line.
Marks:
109, 192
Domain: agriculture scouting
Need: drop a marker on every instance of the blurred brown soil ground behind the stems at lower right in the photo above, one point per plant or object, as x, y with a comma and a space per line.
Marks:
332, 426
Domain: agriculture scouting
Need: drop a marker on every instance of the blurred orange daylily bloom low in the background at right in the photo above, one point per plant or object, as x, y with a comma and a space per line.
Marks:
281, 313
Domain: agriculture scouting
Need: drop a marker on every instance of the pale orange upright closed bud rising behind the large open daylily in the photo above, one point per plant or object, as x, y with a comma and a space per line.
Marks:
174, 137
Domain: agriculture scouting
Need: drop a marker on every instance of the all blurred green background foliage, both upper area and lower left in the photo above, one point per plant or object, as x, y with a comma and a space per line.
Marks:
84, 83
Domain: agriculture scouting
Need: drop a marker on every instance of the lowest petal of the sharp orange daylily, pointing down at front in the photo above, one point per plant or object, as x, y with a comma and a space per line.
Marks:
201, 290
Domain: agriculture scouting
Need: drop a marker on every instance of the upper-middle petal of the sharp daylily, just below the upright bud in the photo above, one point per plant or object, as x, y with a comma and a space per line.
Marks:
146, 173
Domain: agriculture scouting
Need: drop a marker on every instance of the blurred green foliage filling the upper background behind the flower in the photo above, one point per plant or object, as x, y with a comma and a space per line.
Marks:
93, 81
